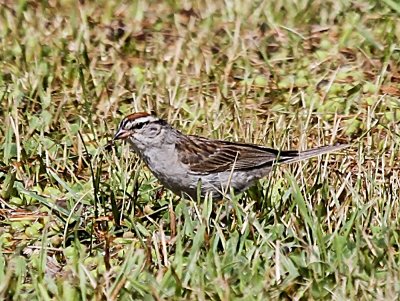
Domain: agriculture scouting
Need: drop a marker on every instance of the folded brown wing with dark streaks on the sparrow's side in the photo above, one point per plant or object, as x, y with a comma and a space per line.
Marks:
209, 156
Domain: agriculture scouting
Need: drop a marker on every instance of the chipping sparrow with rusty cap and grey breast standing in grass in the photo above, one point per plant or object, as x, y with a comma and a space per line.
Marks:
180, 162
